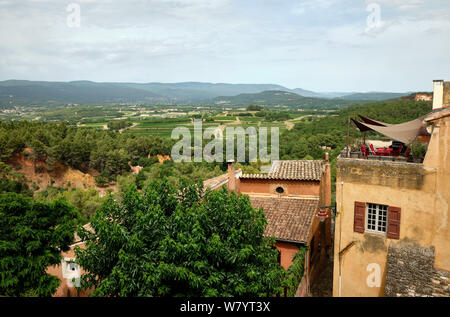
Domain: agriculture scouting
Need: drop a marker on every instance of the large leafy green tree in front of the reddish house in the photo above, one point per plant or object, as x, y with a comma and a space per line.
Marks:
177, 241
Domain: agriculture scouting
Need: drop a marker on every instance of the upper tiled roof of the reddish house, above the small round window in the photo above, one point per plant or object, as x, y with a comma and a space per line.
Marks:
291, 170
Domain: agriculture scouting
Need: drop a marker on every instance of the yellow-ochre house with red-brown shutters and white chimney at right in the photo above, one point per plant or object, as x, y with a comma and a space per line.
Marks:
392, 228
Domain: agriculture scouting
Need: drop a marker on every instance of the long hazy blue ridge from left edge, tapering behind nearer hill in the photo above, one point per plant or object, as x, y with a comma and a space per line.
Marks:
87, 92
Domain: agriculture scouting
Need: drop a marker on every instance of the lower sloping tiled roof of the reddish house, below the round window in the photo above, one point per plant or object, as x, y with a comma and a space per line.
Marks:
289, 219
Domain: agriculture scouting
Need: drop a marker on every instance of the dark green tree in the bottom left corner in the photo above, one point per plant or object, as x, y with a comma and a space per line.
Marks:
32, 236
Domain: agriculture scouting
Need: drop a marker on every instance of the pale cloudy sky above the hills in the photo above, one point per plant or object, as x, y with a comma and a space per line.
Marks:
321, 45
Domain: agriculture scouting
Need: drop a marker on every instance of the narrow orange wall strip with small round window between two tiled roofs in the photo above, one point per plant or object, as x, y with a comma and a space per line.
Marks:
257, 186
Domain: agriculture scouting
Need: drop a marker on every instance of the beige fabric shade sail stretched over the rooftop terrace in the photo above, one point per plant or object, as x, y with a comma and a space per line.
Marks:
403, 132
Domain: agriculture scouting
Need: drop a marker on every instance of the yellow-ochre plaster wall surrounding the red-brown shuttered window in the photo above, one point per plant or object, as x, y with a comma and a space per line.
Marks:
422, 191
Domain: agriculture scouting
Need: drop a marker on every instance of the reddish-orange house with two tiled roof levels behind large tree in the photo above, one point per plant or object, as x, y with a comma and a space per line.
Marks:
291, 195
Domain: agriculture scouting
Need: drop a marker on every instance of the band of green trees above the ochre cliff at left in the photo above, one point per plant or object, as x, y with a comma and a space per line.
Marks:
107, 152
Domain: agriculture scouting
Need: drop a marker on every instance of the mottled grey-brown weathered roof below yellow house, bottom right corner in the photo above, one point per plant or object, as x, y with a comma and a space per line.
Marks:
411, 273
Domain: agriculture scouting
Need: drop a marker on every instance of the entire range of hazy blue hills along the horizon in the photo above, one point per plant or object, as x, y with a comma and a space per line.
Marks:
44, 93
